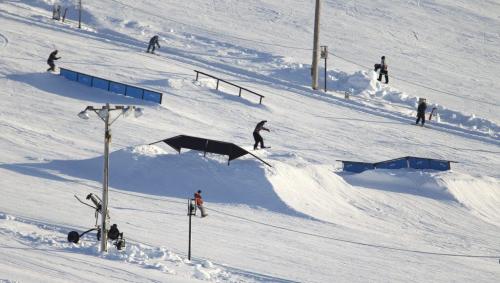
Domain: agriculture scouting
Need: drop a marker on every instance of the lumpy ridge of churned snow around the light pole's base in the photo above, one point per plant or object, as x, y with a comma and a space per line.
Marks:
46, 237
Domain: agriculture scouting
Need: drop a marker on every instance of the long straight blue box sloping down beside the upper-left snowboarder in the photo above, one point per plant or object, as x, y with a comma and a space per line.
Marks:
120, 88
